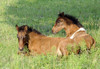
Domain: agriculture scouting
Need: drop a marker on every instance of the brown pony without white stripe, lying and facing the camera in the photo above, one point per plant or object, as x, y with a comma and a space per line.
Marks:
37, 43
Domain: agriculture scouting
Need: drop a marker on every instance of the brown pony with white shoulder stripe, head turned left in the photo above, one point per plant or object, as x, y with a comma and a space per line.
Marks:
74, 32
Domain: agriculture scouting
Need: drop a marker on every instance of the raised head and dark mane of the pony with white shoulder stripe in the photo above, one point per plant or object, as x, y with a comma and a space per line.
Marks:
64, 21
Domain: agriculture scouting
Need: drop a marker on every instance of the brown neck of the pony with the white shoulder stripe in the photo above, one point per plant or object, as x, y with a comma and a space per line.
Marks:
70, 29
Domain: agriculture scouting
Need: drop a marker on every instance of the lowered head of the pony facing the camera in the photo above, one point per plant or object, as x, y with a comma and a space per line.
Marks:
22, 36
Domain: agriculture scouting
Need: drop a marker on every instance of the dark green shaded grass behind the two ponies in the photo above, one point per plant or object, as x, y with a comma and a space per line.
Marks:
41, 15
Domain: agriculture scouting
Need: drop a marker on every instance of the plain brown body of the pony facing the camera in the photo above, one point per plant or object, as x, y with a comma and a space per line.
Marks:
42, 44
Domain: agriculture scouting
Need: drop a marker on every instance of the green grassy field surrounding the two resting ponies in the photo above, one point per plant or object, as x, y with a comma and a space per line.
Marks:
41, 15
